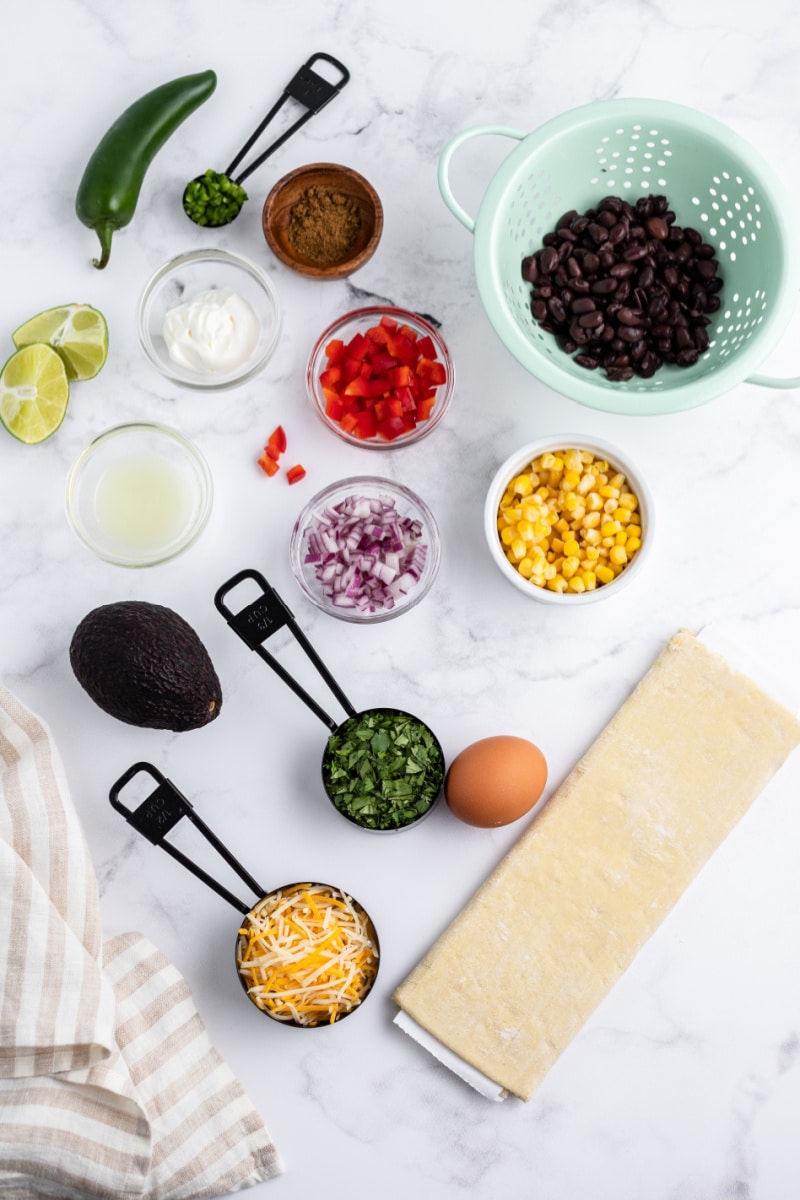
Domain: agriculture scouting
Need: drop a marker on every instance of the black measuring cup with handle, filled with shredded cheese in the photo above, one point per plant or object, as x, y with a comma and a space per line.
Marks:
310, 997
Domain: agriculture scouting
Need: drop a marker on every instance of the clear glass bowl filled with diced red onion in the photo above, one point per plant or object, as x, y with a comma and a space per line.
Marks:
365, 549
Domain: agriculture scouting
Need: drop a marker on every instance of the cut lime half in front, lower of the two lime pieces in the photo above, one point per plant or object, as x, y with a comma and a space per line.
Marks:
34, 393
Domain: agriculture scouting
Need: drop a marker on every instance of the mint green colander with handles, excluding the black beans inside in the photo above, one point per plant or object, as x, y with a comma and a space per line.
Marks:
714, 182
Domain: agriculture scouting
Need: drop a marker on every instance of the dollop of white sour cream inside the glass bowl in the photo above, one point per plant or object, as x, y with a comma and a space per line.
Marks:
214, 333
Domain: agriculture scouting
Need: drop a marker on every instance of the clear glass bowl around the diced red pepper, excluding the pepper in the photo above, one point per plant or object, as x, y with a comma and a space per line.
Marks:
359, 322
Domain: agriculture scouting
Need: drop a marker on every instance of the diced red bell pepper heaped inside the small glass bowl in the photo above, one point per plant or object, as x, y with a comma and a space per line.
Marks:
382, 383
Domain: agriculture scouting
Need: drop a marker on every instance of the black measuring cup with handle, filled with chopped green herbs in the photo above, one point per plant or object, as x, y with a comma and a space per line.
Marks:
383, 769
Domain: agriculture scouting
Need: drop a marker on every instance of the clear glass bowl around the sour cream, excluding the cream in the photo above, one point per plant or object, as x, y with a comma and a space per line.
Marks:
184, 278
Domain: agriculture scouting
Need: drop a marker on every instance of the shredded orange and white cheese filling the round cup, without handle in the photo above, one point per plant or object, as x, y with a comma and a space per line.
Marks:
306, 955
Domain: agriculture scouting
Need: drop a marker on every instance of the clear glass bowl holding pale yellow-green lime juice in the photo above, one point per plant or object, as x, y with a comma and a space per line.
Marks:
140, 495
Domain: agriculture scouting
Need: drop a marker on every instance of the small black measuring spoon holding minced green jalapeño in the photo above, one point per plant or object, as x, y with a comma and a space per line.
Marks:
308, 88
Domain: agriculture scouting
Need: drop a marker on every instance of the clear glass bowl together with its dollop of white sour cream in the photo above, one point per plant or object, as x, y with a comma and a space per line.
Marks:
209, 320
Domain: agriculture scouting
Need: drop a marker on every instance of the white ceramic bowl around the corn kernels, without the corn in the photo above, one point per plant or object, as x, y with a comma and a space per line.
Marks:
516, 465
